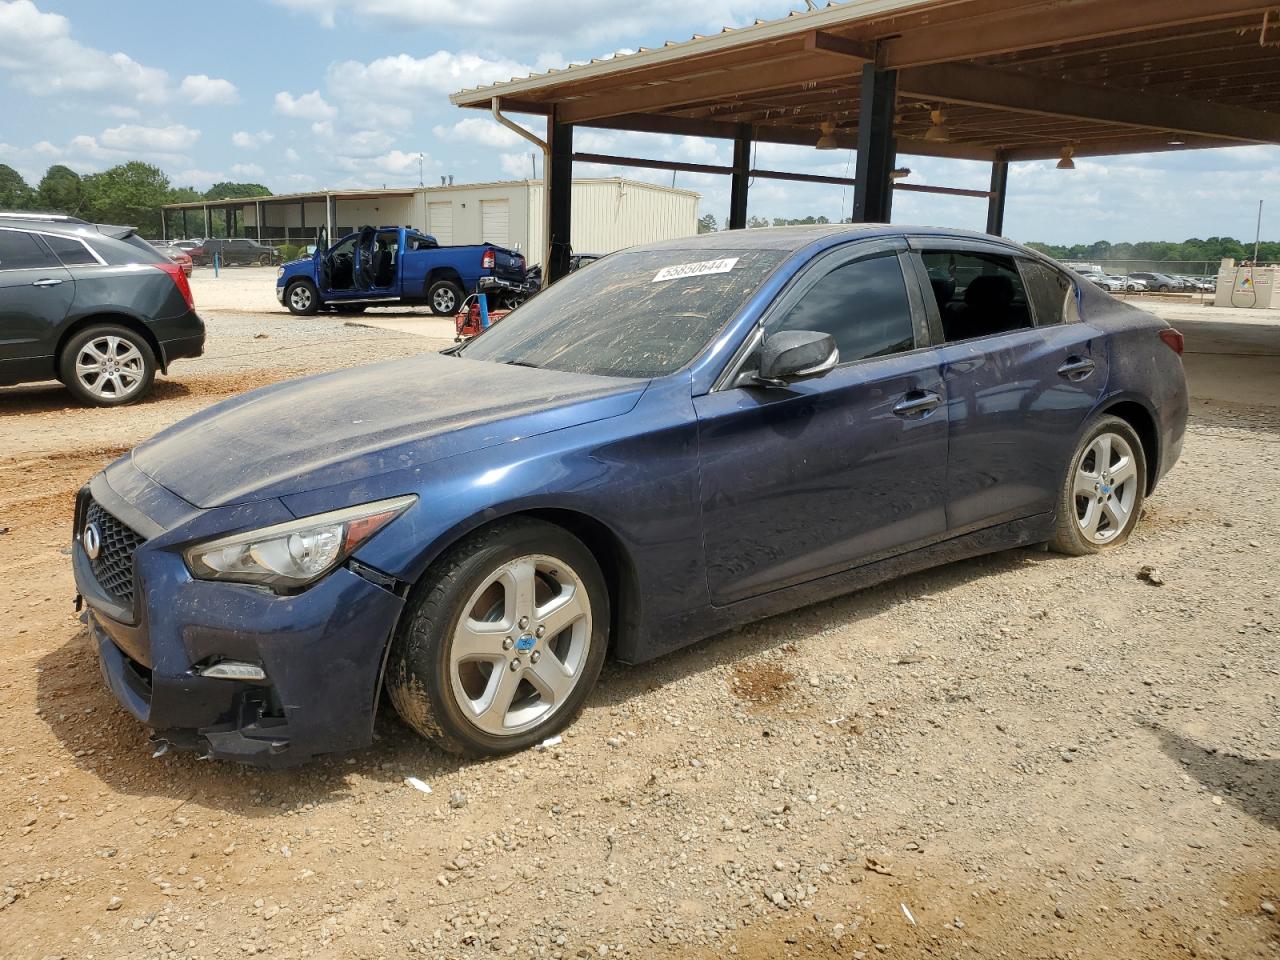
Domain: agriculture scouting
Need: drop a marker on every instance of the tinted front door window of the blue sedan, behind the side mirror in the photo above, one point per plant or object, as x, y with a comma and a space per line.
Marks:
863, 305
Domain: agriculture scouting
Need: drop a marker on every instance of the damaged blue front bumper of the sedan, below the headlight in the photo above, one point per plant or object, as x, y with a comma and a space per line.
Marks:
323, 651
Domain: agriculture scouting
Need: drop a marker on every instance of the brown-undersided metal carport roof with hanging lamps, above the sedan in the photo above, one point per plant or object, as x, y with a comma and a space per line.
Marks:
1018, 80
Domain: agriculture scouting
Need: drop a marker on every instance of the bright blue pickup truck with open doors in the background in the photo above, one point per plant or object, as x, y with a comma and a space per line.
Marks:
390, 266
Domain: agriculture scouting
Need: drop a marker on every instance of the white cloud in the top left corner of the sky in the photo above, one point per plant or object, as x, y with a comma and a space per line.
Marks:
43, 60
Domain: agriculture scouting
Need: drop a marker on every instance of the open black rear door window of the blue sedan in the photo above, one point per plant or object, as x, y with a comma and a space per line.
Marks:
979, 294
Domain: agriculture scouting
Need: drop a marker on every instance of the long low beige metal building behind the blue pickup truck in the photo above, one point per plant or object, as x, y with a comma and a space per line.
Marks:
609, 214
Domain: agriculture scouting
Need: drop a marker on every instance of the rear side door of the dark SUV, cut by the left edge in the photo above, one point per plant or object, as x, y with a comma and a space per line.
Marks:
36, 292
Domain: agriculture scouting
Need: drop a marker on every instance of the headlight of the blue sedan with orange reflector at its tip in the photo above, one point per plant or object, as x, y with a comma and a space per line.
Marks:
295, 555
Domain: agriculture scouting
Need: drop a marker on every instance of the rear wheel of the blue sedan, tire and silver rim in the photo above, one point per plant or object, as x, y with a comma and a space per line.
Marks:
1104, 491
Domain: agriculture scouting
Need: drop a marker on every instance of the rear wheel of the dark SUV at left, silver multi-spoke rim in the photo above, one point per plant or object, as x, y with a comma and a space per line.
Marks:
108, 365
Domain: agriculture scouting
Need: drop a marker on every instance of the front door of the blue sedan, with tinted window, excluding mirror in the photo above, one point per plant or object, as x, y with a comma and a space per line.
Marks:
816, 478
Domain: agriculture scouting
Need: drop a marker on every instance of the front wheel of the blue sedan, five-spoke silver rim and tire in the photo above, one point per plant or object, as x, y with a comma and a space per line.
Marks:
502, 642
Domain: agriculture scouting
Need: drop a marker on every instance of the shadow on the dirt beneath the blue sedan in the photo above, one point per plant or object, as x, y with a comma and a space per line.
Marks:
102, 738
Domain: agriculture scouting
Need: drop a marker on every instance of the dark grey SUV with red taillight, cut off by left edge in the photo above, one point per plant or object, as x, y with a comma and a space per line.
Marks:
94, 307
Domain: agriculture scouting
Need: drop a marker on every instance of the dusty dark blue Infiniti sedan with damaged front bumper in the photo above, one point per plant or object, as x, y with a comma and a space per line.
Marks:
683, 438
